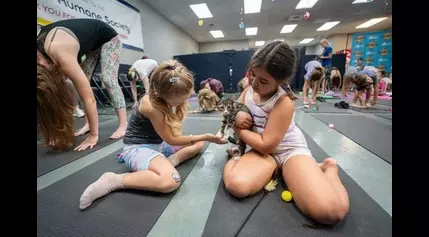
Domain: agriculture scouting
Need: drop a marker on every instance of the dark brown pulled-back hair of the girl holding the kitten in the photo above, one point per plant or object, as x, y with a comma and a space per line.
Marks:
278, 59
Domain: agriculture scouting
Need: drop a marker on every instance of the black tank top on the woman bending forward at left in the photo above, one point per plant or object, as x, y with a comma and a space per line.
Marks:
90, 33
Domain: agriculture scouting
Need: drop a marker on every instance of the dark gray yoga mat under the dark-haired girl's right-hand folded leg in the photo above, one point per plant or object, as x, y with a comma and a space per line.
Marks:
273, 217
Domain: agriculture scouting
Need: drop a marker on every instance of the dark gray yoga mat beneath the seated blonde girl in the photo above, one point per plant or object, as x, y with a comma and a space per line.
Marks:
120, 214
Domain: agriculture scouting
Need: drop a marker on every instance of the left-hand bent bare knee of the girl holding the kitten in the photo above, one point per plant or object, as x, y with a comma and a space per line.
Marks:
247, 175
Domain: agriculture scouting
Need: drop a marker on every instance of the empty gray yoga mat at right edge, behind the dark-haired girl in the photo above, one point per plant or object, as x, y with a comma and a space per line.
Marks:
373, 135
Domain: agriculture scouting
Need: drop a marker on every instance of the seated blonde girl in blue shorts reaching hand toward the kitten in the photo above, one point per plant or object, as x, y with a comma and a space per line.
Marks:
153, 142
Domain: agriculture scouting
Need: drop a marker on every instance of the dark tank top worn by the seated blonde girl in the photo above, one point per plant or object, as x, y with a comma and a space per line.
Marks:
140, 130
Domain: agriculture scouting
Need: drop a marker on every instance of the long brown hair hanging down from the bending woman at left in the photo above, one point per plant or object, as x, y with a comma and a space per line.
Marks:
55, 107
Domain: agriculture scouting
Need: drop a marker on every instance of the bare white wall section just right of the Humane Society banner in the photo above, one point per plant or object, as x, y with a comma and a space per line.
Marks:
162, 39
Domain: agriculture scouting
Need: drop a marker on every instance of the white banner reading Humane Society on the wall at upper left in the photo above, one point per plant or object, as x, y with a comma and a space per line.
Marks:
123, 17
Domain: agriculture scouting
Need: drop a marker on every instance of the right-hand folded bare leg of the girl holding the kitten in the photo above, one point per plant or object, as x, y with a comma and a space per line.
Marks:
317, 188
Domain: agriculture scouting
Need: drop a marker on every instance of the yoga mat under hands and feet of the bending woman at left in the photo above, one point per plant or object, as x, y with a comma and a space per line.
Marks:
48, 160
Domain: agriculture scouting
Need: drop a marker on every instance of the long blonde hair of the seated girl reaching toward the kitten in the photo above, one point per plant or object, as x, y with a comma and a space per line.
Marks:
168, 80
